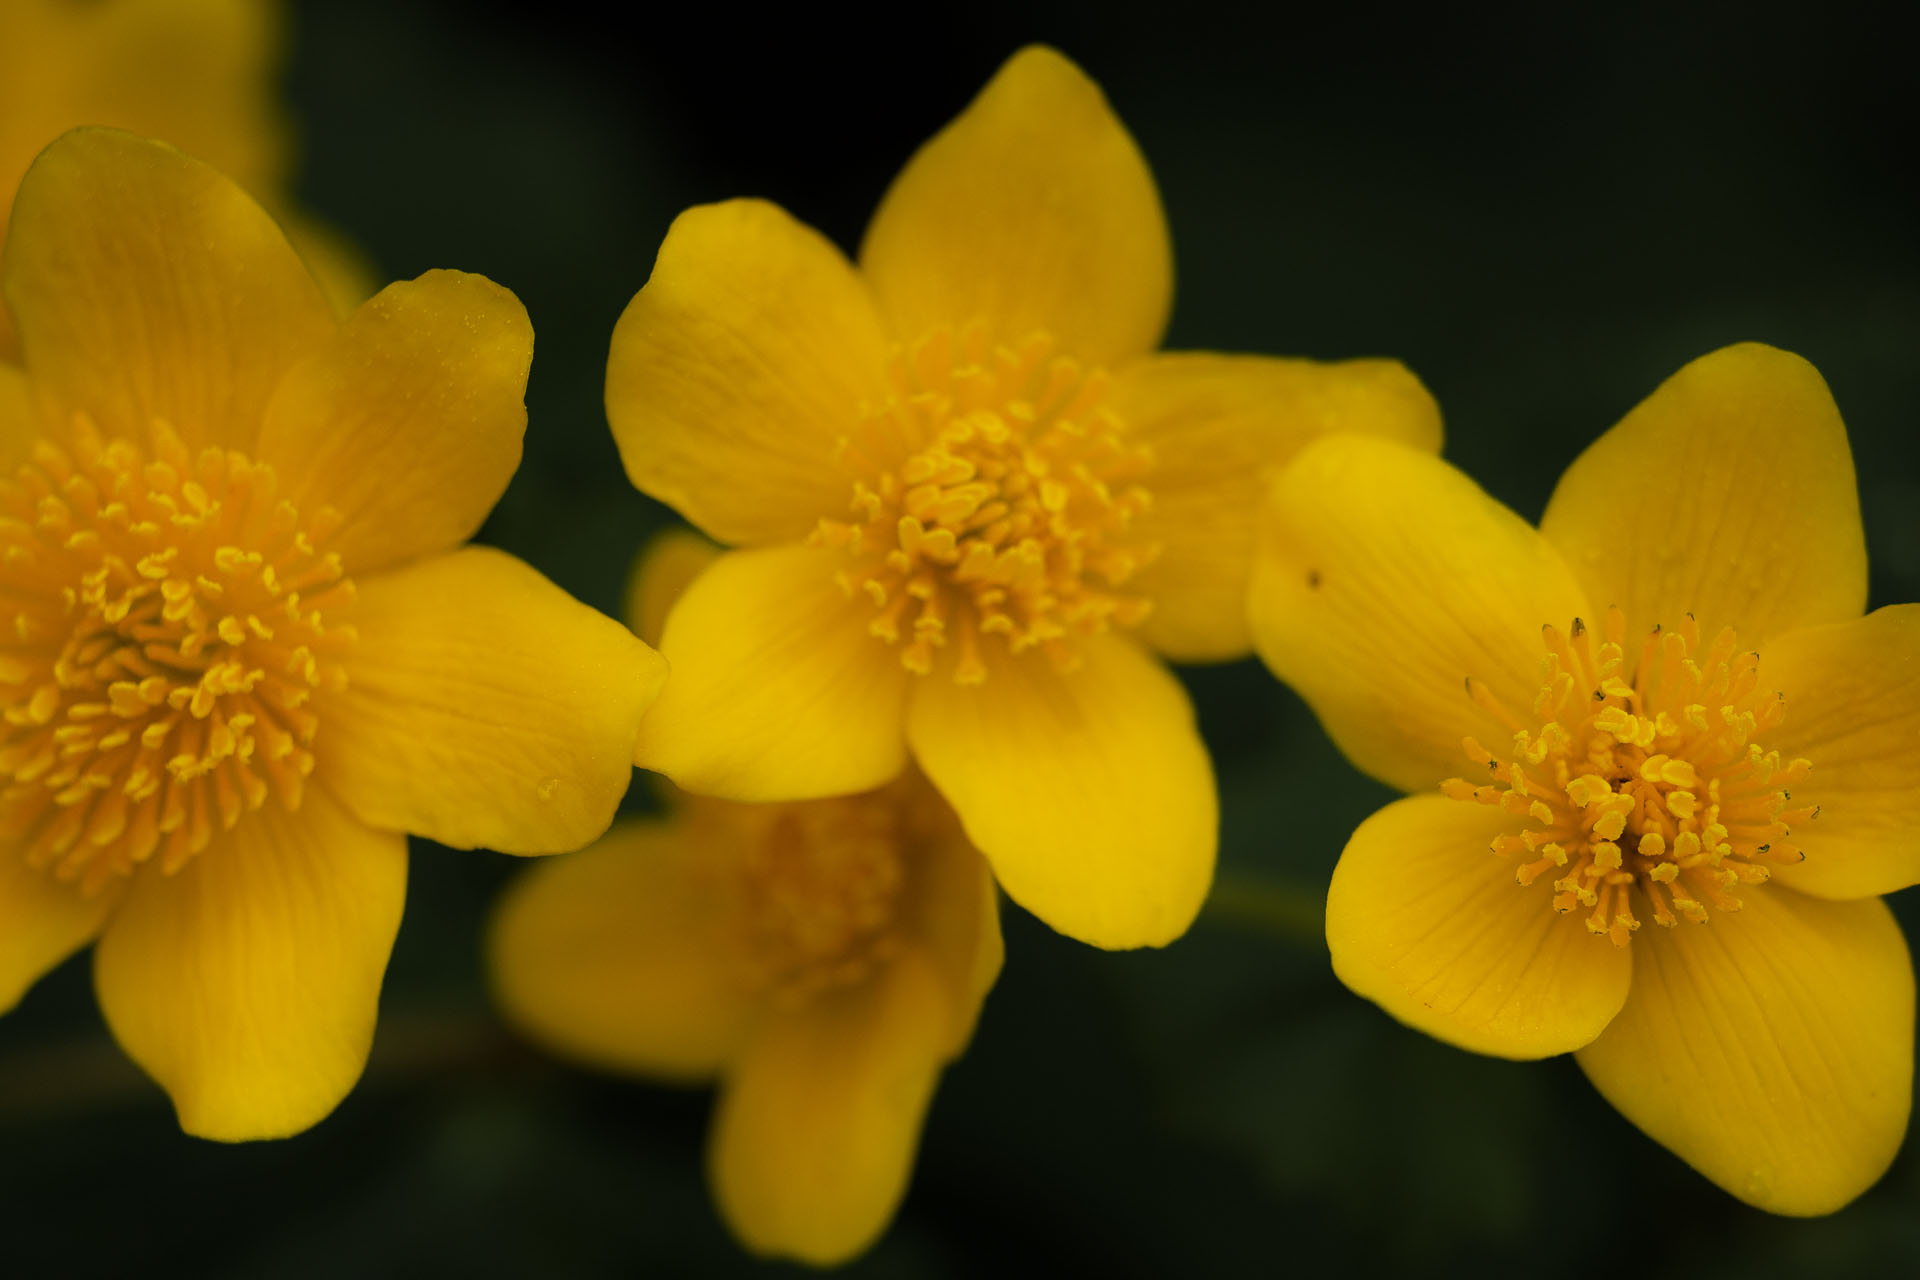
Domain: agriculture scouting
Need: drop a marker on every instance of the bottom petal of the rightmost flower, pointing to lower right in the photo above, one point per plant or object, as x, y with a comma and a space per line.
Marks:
1771, 1051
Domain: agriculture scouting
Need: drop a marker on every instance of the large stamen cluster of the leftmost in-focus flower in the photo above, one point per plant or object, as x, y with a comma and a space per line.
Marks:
166, 638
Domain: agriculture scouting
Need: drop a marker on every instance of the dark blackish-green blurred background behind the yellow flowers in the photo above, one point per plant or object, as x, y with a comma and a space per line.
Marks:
1545, 210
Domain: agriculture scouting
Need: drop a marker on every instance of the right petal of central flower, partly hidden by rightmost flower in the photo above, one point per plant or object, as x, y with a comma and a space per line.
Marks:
1218, 427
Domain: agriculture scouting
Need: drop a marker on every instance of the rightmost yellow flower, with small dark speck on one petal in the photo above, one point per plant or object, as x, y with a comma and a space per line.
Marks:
1673, 717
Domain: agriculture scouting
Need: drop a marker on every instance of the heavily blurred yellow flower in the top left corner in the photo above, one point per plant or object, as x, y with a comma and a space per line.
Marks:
197, 74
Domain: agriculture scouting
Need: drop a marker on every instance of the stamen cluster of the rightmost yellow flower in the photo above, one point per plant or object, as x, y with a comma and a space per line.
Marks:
1654, 790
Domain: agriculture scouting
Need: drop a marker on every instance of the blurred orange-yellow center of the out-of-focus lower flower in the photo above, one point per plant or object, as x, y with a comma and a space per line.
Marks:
825, 882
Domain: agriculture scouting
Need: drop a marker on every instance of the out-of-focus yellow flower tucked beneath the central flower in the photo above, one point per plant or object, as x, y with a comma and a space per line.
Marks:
825, 959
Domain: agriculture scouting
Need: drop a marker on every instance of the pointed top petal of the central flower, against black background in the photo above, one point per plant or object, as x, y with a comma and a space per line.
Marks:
1032, 212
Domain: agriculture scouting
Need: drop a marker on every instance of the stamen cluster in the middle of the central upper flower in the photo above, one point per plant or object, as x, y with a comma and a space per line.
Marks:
1011, 515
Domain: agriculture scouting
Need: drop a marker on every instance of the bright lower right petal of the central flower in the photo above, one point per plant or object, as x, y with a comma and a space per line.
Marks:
1088, 792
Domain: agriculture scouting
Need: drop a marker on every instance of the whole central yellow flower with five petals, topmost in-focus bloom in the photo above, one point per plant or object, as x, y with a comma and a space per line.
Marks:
971, 502
